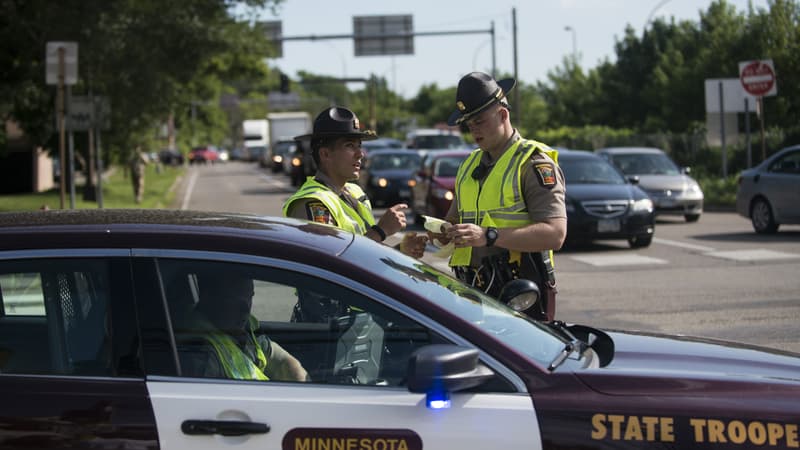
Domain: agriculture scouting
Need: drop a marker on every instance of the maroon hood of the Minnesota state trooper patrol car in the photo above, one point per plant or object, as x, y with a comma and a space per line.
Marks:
686, 364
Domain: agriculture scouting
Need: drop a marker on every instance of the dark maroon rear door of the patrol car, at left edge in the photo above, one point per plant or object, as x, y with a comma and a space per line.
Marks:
70, 375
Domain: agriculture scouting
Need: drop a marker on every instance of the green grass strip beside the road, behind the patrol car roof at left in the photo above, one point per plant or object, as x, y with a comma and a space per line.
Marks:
117, 192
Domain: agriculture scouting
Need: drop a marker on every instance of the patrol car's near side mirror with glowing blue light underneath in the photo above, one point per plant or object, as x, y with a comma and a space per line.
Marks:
439, 369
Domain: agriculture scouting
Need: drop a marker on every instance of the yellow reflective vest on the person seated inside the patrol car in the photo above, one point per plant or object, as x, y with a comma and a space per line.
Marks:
235, 362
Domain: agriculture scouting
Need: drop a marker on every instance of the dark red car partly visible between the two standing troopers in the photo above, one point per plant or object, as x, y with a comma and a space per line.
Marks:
435, 181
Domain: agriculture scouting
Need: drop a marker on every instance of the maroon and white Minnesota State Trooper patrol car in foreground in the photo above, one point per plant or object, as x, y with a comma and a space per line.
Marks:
400, 356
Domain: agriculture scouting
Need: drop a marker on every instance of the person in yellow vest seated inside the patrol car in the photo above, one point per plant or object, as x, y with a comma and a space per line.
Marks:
226, 324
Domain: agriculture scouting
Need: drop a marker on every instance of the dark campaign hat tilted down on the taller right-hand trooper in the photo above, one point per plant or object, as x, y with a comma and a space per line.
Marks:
476, 92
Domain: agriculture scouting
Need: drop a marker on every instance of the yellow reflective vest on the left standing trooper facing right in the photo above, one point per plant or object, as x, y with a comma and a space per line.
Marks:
356, 221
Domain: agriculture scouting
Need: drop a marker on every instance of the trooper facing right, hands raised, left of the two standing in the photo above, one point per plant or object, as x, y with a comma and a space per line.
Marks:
330, 196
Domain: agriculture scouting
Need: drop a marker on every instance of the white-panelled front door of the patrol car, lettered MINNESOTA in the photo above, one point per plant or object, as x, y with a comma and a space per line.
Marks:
355, 349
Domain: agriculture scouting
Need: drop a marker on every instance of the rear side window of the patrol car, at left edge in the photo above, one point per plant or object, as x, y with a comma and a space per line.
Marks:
54, 317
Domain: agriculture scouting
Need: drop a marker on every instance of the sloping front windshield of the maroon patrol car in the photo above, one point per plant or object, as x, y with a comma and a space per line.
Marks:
533, 339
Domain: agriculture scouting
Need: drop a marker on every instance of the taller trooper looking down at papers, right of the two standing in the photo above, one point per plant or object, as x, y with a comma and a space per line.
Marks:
508, 212
